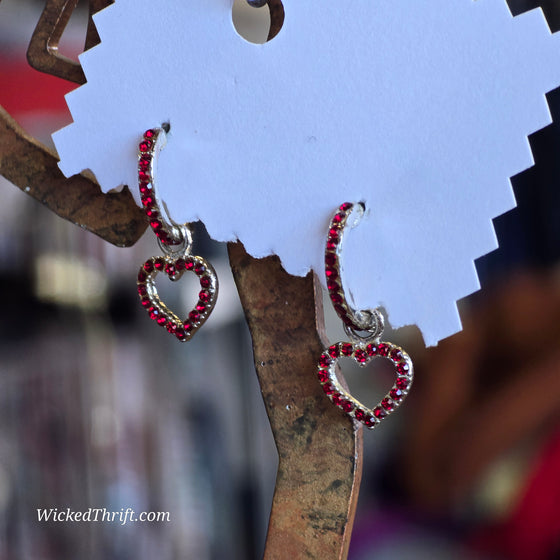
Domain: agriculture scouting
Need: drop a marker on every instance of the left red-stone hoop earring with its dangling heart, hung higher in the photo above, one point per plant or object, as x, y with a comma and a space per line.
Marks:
176, 242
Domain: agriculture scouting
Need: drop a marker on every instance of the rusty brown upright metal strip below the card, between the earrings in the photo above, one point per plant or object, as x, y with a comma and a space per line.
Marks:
319, 448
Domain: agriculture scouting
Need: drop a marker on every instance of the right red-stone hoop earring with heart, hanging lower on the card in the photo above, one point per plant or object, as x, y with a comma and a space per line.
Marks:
364, 329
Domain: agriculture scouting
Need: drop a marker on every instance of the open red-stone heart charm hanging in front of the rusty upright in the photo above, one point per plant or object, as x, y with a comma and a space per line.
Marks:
362, 353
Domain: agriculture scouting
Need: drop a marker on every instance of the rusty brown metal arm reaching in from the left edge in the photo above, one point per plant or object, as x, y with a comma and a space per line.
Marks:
34, 168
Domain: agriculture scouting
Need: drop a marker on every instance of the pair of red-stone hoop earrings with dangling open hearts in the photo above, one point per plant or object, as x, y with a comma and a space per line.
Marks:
364, 328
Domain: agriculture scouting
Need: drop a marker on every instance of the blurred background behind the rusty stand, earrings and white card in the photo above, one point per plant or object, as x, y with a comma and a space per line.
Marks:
99, 408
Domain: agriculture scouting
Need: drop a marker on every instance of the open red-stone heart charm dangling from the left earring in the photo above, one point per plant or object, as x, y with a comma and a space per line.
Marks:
174, 268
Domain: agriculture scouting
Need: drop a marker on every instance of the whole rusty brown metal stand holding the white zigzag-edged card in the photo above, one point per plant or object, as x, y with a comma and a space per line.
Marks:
319, 448
